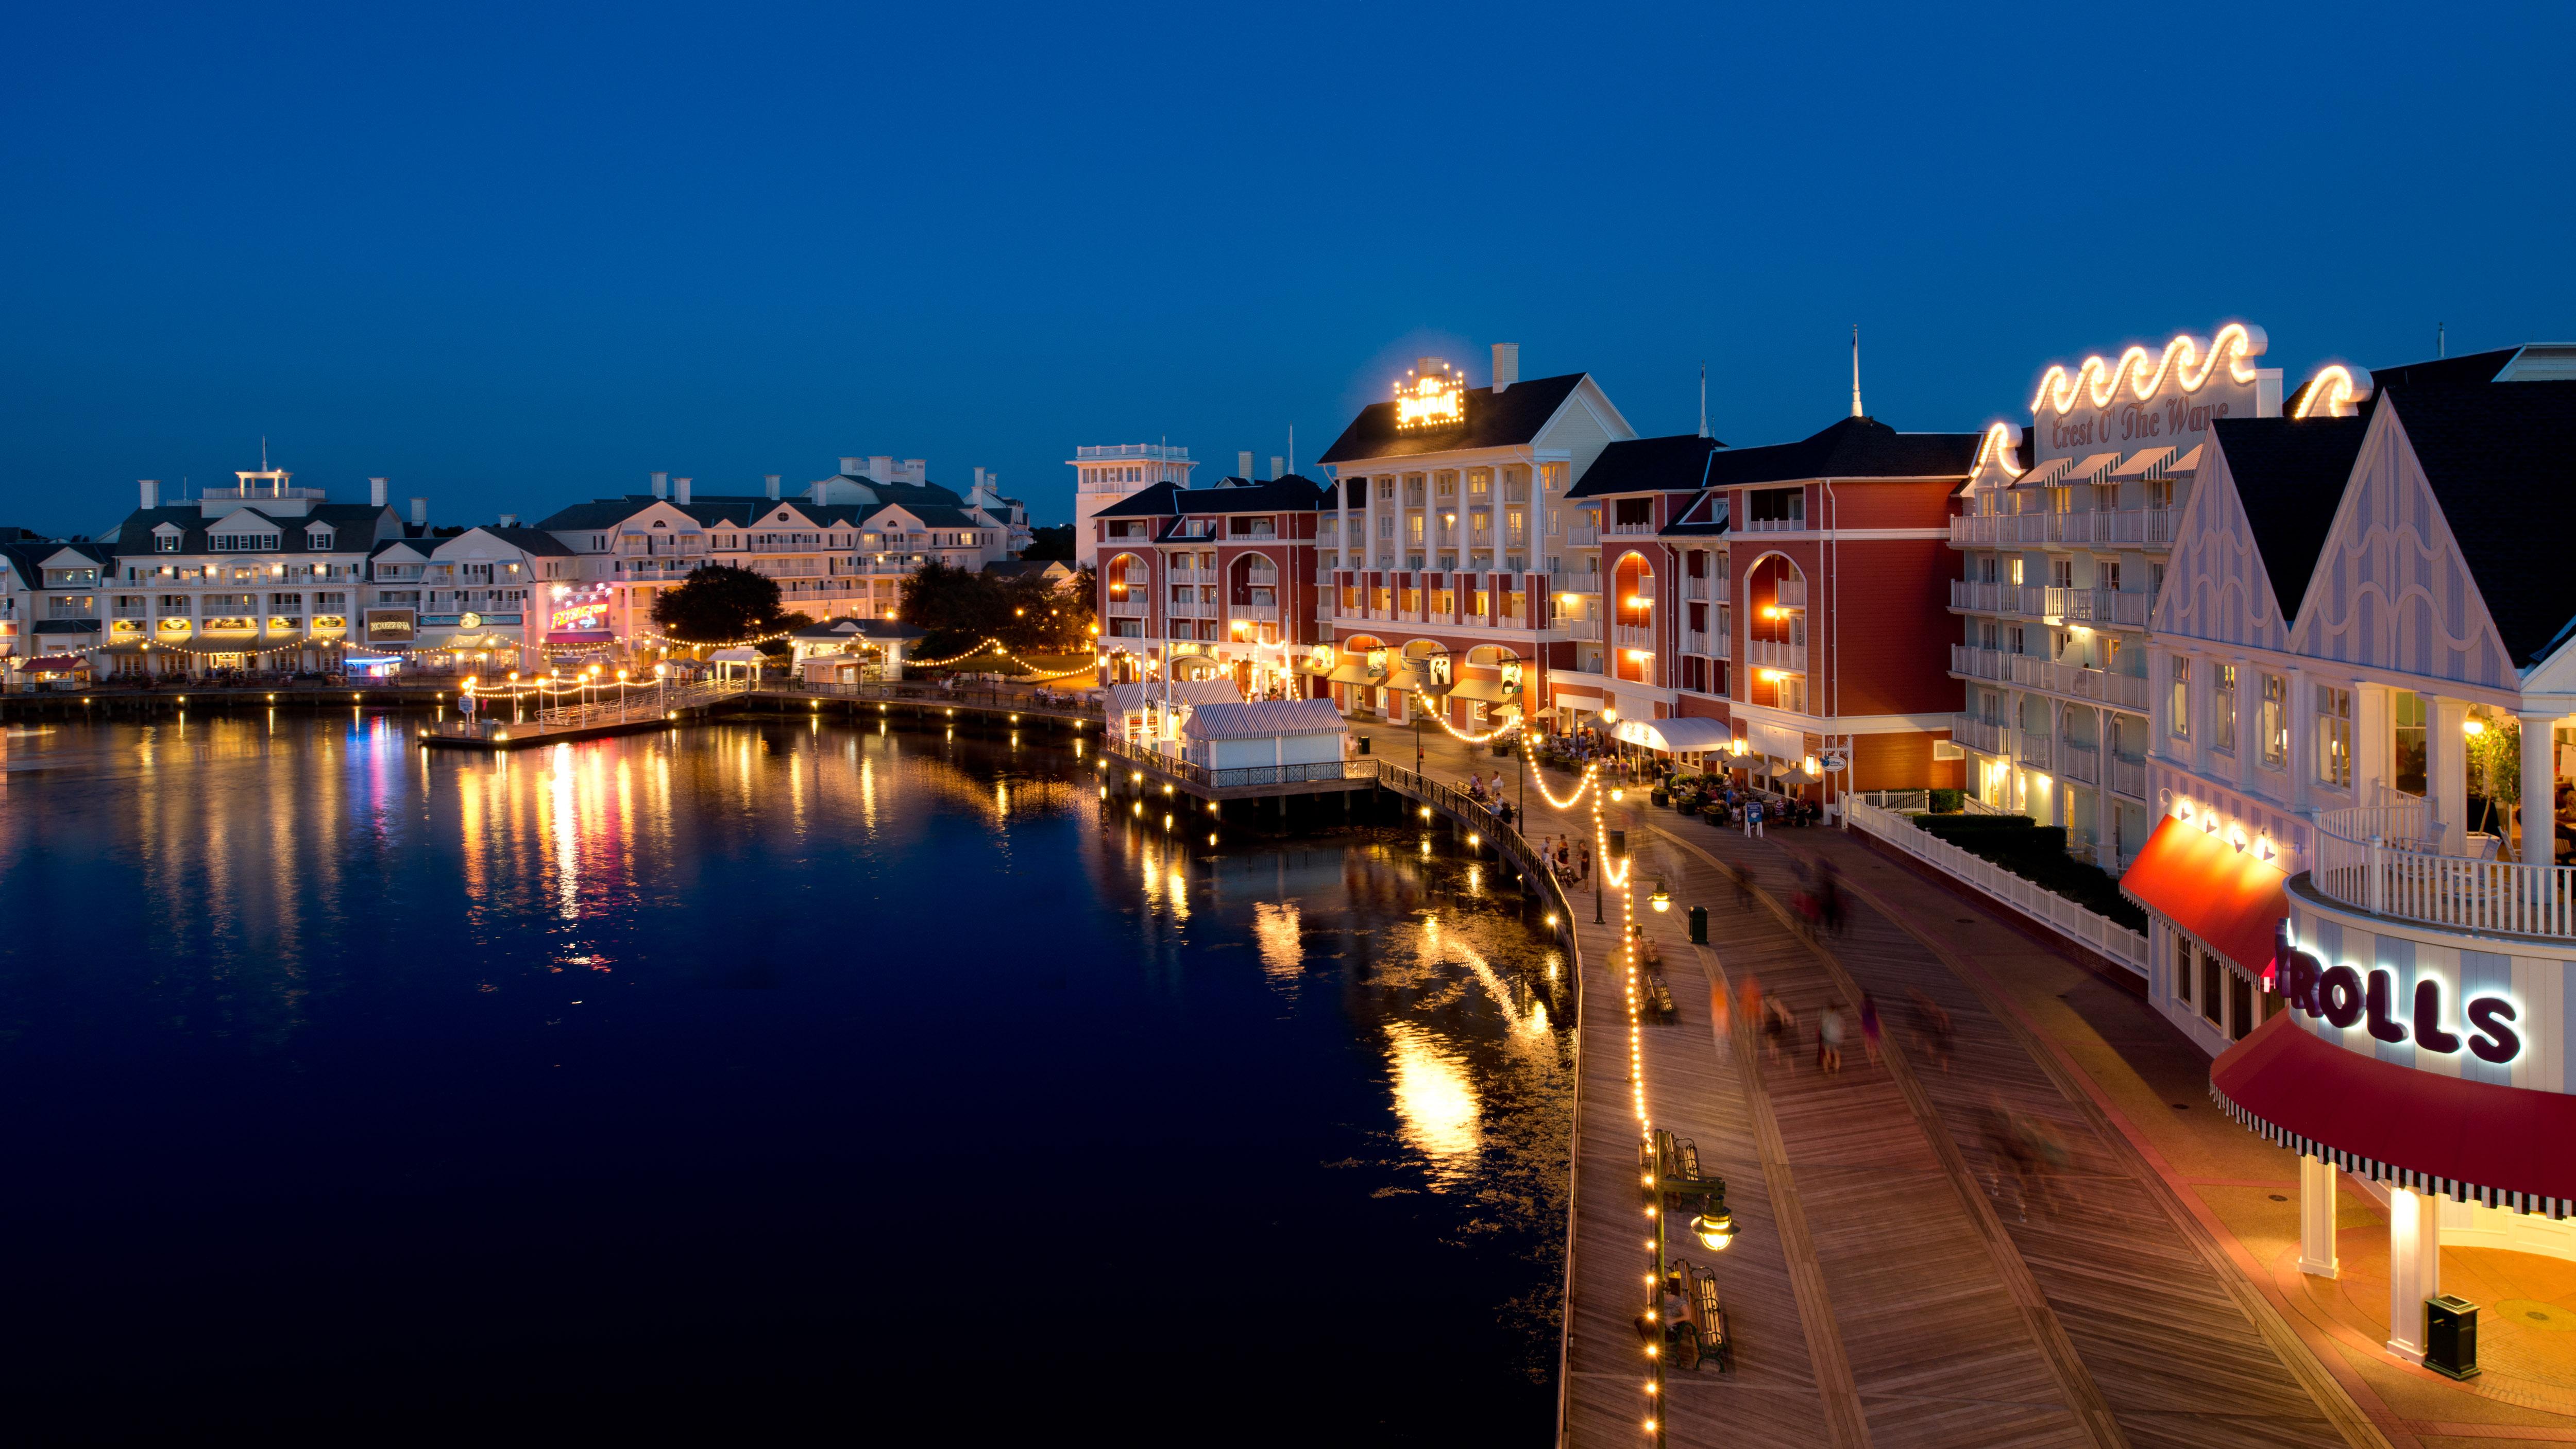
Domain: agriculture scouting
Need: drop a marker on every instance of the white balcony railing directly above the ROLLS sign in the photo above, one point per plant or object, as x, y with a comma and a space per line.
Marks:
2363, 863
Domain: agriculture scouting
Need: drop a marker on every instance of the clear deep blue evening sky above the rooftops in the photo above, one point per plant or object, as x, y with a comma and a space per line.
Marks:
519, 259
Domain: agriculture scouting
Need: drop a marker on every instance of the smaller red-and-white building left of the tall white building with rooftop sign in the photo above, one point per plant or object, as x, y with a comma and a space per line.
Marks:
1212, 583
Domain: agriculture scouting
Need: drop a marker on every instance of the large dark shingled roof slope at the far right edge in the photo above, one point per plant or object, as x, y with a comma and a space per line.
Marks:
2503, 462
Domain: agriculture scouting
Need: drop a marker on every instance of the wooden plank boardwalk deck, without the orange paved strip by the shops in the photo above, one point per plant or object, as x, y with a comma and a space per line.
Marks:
1895, 1280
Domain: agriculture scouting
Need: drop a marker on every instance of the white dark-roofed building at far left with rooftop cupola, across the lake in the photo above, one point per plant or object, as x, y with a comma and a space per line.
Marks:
264, 575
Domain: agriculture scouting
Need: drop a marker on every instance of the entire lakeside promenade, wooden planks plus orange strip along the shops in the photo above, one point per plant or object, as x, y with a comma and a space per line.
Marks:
1897, 1280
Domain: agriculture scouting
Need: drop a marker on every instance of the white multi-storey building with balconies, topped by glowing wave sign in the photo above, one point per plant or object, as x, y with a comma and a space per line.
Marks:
2062, 549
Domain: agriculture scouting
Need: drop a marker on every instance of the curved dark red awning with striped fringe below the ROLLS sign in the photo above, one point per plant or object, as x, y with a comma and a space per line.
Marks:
2472, 1141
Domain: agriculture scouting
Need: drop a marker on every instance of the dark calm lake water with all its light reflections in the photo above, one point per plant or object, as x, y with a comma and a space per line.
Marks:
746, 1082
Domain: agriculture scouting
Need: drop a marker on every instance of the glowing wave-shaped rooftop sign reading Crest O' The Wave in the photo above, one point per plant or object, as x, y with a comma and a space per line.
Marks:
2142, 400
